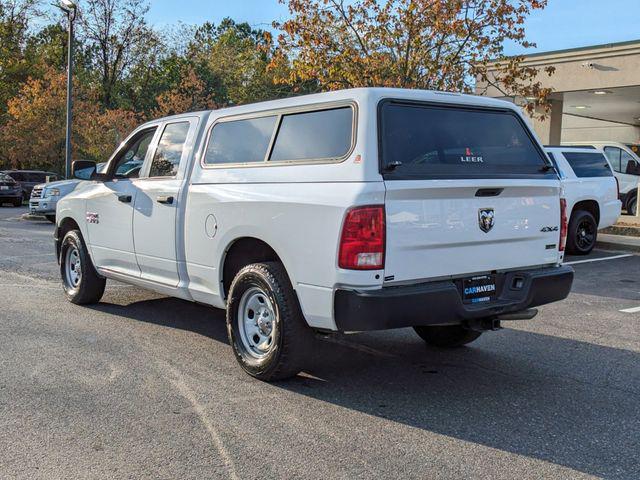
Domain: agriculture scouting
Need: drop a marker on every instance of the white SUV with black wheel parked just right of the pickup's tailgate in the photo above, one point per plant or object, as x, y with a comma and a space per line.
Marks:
591, 192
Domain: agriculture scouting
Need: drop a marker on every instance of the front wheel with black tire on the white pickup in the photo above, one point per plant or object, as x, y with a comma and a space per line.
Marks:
90, 286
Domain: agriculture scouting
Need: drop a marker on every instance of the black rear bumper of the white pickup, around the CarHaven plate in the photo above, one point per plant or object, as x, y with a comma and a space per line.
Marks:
440, 303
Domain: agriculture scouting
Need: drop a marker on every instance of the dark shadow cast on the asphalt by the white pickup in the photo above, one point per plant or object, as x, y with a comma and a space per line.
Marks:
558, 400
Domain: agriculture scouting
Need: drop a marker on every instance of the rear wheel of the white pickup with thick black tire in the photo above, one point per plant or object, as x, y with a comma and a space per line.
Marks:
290, 336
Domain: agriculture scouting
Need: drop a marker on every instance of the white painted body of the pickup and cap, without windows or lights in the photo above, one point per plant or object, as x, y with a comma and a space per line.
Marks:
298, 209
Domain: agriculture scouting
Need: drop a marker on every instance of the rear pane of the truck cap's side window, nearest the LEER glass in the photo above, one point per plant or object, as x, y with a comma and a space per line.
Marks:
324, 134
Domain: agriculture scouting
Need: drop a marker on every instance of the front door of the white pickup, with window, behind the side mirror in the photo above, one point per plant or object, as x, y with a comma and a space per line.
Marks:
109, 206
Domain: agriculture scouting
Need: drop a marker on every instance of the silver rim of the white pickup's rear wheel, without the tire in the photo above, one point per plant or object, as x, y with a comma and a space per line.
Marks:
256, 322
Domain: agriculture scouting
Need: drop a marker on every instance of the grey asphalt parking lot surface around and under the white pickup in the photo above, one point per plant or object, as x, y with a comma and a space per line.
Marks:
144, 386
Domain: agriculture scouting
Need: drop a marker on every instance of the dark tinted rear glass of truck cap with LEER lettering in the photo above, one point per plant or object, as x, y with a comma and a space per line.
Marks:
431, 141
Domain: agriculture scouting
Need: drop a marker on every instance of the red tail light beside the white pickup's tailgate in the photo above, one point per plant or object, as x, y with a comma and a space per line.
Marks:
363, 238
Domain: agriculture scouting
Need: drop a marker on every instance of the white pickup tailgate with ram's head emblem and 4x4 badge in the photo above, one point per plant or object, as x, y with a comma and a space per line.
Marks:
439, 231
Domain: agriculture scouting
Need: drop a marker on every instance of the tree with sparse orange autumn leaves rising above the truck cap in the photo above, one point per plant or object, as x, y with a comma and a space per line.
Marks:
425, 44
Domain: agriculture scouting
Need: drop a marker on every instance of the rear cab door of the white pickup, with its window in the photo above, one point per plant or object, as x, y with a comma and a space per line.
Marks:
155, 215
